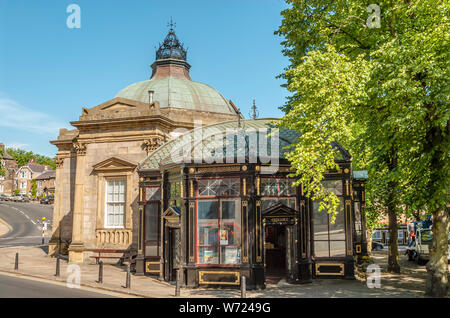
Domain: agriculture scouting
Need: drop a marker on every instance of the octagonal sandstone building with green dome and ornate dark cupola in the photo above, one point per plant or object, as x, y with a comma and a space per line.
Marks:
97, 185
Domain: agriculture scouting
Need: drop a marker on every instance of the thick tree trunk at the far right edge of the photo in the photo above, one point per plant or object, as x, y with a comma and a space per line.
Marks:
437, 268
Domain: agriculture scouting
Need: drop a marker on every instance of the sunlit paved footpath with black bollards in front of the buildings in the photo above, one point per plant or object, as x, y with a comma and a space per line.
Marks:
35, 263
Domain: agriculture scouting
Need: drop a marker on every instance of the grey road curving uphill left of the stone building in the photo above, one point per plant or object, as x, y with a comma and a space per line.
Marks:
25, 220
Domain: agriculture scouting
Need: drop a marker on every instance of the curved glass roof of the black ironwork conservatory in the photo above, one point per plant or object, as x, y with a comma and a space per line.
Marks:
255, 140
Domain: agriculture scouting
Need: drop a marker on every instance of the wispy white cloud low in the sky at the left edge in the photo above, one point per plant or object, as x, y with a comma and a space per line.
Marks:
16, 116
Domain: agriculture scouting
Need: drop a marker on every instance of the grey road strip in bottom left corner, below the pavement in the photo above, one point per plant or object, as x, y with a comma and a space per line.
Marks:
14, 287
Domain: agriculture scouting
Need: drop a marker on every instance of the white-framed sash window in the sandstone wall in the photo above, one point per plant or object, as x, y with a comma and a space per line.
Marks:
115, 203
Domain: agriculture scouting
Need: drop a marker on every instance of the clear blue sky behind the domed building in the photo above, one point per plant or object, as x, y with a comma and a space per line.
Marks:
49, 71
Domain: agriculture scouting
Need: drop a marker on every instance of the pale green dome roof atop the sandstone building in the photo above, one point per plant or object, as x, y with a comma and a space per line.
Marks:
178, 92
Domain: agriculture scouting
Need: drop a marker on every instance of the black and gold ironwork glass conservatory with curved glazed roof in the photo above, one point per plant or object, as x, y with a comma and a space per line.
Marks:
218, 203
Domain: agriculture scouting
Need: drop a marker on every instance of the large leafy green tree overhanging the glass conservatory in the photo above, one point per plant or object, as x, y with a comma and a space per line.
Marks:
374, 78
